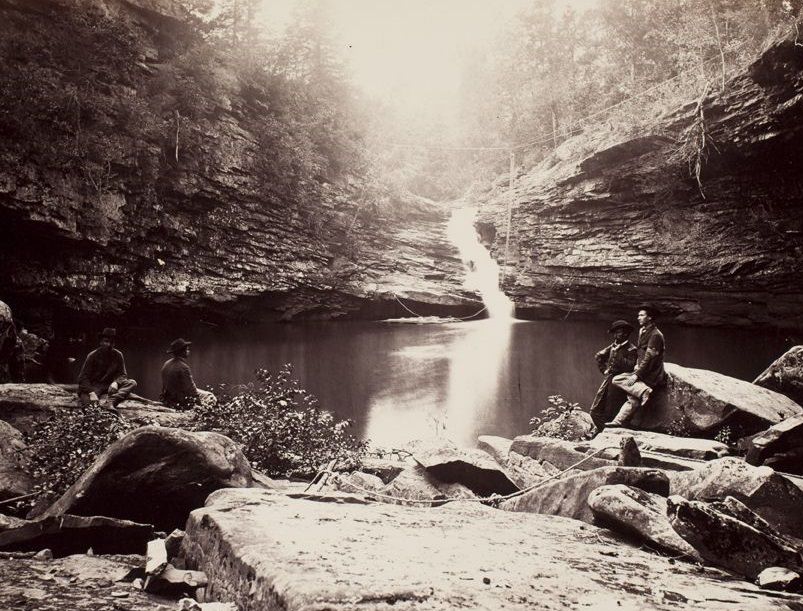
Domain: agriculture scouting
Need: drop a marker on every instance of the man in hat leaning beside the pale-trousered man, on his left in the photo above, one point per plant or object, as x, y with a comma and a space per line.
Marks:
618, 357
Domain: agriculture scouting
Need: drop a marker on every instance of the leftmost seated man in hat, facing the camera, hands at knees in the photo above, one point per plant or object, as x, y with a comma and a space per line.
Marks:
104, 373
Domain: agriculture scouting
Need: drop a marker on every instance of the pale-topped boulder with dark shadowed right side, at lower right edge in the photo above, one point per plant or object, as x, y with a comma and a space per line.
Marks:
769, 494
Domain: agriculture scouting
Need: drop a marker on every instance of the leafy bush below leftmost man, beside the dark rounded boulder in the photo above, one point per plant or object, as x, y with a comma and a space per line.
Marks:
65, 446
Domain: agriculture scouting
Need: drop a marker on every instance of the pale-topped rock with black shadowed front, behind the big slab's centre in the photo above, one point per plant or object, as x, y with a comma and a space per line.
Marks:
470, 467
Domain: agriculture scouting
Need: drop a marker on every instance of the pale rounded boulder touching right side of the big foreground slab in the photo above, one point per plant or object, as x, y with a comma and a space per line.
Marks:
634, 511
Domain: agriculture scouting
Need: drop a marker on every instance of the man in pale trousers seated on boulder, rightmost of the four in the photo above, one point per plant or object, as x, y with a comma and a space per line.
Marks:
649, 371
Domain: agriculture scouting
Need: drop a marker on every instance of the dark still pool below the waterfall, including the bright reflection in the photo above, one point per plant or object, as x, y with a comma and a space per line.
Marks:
403, 381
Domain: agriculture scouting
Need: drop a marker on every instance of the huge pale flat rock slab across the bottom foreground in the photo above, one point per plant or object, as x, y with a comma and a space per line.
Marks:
266, 551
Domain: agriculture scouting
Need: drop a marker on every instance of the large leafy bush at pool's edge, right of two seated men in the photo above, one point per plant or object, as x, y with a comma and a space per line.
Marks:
282, 430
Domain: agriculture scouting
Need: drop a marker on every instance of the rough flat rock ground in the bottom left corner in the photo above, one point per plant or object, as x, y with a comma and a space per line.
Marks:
77, 583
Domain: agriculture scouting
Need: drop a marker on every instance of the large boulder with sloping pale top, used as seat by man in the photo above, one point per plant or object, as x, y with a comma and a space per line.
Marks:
698, 401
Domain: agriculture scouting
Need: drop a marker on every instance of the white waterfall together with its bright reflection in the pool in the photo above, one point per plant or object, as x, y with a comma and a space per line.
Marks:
469, 356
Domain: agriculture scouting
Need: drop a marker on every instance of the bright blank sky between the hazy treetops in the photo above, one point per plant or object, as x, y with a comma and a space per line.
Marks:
409, 51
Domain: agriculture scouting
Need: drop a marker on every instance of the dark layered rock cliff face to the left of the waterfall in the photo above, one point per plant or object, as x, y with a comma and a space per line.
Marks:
97, 237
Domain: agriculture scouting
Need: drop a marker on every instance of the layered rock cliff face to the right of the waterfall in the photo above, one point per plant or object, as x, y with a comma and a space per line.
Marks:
608, 222
